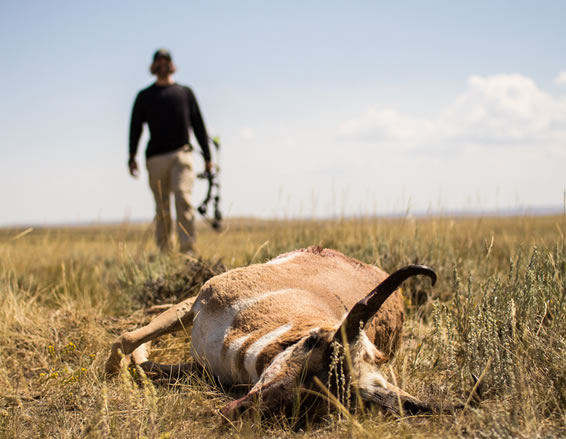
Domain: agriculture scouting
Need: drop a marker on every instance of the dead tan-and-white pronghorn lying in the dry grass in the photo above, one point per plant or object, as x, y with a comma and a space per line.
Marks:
281, 326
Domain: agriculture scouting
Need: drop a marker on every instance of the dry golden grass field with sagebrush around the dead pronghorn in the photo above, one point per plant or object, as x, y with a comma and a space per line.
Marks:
498, 311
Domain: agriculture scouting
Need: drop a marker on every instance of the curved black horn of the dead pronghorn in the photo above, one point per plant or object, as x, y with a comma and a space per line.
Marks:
366, 308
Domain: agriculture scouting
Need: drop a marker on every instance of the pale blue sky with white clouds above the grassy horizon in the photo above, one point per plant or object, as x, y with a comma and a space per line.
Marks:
323, 107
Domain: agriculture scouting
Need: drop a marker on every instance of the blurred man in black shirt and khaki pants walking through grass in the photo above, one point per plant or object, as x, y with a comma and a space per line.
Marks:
170, 110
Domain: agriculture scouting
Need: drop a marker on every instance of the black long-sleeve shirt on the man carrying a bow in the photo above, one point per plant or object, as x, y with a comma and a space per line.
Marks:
170, 111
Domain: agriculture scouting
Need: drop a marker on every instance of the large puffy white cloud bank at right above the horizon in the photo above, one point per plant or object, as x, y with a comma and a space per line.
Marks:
498, 110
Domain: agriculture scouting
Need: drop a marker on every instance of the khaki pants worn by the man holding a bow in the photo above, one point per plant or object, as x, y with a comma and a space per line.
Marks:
173, 173
